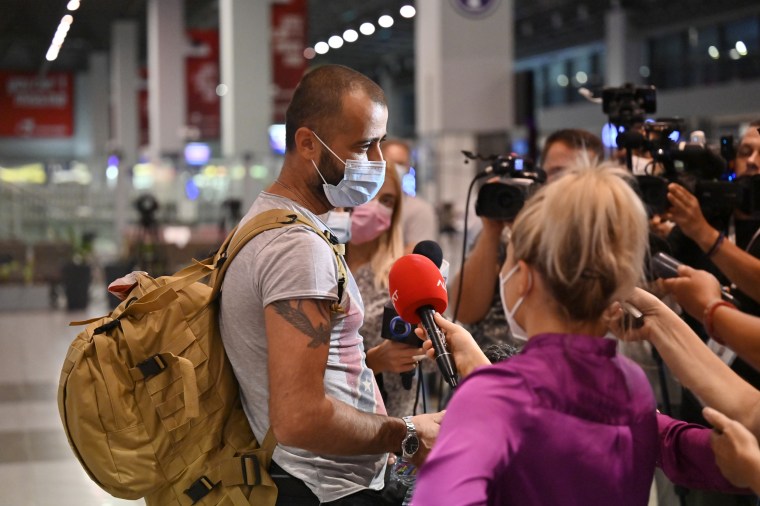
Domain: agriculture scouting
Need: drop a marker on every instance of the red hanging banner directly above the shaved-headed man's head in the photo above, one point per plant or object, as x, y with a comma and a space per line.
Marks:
288, 43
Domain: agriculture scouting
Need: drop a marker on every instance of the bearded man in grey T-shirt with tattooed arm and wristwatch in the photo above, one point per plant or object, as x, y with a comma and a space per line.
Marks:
291, 328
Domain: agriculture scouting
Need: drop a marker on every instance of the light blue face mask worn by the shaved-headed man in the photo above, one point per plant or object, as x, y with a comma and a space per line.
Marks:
361, 181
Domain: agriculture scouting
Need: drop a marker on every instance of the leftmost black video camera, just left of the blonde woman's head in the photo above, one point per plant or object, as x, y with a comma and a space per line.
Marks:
518, 180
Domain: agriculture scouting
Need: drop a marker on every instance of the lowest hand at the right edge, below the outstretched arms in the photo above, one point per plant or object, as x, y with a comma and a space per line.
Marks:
736, 449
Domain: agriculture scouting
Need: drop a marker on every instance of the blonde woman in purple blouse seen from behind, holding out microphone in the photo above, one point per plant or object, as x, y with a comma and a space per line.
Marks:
568, 420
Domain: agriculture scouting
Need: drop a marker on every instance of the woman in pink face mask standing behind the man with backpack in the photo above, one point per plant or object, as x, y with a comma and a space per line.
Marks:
376, 242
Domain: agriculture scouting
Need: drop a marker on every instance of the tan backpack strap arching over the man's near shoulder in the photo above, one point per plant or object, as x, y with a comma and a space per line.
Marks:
268, 220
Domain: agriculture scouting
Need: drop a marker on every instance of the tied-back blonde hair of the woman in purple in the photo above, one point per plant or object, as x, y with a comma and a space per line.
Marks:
586, 234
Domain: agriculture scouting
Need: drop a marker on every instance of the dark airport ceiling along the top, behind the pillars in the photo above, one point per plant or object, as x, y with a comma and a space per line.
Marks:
27, 27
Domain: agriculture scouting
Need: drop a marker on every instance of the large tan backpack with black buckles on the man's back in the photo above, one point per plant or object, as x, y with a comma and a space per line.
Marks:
148, 399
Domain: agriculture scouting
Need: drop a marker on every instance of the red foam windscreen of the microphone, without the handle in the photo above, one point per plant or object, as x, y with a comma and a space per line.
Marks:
414, 282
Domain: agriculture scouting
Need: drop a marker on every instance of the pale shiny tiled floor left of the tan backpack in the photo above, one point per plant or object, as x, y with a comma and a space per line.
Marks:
37, 467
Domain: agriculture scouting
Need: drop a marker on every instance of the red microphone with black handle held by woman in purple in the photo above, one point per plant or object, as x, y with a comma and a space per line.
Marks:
418, 291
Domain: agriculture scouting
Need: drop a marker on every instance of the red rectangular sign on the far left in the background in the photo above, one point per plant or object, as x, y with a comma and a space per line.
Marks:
34, 106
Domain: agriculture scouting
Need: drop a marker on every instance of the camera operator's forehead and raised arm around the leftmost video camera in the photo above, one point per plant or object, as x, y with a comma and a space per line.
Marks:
479, 305
